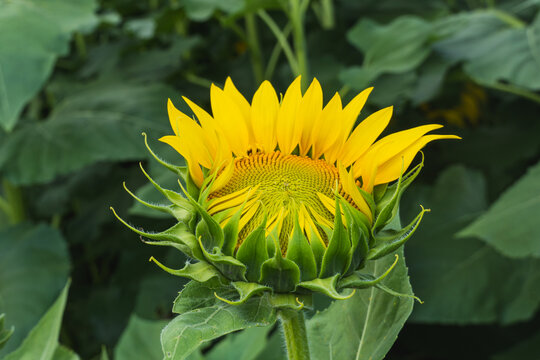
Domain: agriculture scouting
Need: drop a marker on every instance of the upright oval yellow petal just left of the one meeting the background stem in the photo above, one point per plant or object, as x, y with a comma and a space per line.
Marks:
264, 110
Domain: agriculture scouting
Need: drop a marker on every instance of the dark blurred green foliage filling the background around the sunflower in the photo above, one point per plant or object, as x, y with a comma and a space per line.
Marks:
80, 80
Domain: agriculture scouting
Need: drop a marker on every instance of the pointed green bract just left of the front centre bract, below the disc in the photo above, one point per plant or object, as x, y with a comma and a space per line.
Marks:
253, 252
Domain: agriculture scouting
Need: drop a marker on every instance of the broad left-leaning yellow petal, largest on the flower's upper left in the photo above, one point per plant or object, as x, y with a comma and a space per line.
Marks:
230, 121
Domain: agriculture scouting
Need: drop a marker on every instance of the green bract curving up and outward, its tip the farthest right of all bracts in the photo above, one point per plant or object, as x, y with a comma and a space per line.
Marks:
389, 240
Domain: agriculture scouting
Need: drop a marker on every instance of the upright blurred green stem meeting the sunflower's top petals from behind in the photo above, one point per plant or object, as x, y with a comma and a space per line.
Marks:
296, 13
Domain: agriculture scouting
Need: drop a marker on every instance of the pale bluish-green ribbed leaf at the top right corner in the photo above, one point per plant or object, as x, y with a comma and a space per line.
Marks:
494, 46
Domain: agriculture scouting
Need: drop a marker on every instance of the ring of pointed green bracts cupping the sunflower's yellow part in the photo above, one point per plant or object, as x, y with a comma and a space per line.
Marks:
255, 266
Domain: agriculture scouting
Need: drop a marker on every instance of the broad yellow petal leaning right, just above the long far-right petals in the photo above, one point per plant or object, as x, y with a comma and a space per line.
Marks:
364, 135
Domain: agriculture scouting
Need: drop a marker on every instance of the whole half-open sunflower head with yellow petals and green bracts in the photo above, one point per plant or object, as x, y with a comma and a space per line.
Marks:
287, 196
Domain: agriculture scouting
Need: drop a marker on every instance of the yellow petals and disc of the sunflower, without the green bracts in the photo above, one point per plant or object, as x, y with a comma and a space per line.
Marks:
284, 161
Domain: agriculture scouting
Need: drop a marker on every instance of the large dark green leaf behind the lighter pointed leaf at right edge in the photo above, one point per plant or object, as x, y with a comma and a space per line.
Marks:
464, 281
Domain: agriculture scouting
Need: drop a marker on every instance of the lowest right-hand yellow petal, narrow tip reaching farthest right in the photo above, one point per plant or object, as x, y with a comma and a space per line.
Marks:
391, 169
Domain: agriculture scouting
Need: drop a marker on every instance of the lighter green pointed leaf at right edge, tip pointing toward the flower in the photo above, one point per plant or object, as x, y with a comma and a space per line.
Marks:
511, 223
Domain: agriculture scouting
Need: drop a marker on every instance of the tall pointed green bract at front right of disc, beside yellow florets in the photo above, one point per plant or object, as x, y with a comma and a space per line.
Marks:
337, 257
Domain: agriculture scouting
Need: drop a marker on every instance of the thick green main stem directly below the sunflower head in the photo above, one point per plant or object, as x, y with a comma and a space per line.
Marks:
294, 331
